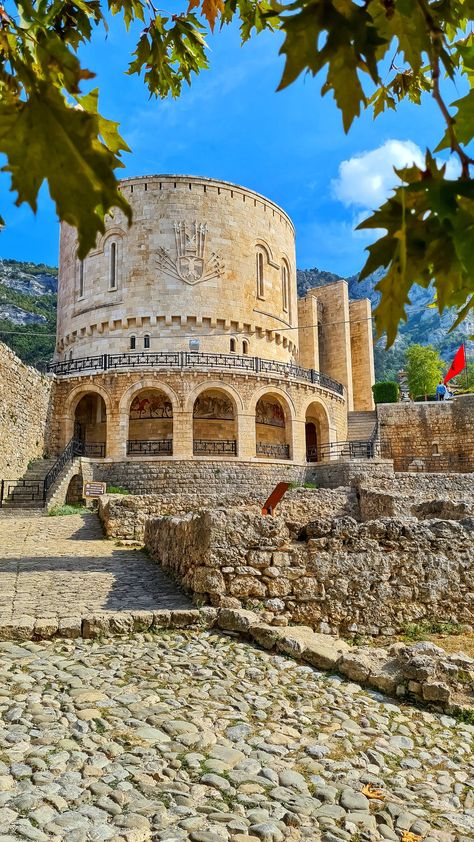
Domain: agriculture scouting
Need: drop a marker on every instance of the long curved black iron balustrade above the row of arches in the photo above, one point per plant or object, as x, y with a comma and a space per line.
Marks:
194, 360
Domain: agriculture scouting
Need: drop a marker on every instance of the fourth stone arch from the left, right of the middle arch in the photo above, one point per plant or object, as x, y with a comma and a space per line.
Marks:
274, 418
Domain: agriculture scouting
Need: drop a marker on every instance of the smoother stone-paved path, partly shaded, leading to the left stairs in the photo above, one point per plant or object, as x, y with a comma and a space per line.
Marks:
63, 566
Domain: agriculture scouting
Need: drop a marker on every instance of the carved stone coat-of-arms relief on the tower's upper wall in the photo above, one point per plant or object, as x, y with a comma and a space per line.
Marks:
190, 264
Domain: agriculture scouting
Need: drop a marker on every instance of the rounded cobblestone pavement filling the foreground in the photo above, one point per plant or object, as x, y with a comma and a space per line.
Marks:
202, 737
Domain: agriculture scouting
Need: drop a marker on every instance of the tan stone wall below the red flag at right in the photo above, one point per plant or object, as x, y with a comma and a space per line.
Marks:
440, 434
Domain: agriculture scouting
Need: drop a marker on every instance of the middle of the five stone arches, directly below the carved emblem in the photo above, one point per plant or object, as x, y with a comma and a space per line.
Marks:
215, 420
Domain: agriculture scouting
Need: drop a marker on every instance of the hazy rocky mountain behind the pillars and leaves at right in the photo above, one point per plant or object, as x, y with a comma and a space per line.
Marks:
424, 325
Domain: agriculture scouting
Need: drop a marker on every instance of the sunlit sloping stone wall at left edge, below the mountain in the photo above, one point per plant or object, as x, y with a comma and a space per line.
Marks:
25, 399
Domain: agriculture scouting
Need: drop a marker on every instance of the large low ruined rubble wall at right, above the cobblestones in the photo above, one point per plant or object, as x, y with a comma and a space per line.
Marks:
345, 577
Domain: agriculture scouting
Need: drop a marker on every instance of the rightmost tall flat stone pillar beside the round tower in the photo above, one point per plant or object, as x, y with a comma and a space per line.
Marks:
362, 354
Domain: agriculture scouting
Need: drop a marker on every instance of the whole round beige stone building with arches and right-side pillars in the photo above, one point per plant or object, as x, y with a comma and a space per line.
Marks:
182, 337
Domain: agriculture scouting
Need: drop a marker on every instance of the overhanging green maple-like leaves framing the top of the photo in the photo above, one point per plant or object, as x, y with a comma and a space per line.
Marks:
370, 54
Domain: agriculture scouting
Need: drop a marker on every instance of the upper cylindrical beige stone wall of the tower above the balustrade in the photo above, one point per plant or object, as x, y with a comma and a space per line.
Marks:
147, 294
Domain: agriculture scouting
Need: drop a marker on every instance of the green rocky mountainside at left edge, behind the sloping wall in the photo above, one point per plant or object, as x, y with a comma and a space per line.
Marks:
28, 309
